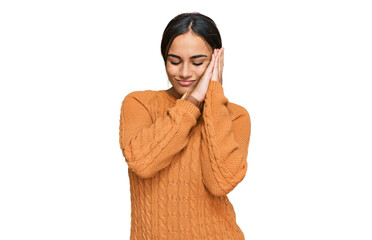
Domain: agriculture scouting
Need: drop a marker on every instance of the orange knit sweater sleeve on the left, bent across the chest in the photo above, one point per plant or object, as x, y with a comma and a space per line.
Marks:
148, 145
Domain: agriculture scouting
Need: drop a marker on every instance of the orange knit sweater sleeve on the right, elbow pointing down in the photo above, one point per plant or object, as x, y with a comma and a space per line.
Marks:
224, 142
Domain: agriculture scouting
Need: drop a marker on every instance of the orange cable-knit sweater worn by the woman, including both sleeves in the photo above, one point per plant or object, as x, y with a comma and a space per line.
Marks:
182, 163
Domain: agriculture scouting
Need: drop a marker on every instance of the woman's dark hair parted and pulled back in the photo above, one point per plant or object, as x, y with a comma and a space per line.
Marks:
198, 23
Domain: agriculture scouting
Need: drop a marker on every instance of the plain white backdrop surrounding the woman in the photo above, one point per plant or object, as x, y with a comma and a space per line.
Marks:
302, 69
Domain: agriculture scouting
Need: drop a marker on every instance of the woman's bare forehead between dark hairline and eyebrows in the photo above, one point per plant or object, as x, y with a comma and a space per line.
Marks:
189, 44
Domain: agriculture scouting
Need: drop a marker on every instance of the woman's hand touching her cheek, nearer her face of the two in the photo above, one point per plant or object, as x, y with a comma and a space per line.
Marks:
201, 89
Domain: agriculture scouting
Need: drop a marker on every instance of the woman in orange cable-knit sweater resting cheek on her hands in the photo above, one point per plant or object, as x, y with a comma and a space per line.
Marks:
186, 147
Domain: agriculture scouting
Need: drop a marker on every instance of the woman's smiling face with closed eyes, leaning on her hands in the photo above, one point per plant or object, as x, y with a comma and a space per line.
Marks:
188, 58
